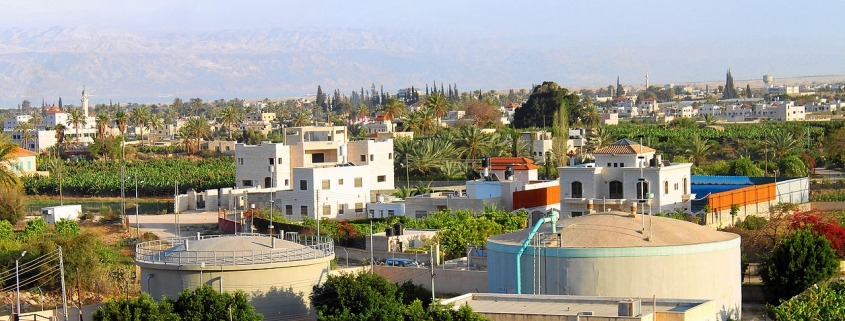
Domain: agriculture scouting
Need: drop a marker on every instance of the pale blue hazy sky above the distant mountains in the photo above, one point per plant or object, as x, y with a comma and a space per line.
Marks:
674, 40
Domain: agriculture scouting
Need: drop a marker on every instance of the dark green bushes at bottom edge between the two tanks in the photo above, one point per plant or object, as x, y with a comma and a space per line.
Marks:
367, 296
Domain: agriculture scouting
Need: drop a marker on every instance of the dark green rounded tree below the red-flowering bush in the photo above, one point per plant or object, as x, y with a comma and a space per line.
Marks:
804, 258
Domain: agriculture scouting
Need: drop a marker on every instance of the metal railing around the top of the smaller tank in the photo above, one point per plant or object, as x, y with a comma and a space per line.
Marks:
173, 251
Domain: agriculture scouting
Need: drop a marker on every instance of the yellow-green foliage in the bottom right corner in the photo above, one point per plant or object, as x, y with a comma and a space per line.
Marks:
820, 302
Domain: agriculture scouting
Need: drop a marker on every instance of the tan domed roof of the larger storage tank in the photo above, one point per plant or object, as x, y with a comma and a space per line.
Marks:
620, 230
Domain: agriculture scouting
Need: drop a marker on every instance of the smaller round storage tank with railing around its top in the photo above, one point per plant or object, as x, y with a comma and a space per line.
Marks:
277, 274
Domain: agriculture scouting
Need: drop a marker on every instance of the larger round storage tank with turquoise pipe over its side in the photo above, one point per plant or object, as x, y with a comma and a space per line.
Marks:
610, 255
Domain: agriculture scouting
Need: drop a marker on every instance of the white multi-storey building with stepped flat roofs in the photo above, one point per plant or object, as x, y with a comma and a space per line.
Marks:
317, 172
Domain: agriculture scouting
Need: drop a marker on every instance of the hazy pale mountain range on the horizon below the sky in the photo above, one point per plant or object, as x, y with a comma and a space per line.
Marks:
149, 66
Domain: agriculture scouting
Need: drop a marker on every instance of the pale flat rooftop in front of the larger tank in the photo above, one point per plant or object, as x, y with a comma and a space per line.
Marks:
563, 305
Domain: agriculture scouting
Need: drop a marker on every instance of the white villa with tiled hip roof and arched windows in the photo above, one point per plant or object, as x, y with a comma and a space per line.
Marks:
615, 182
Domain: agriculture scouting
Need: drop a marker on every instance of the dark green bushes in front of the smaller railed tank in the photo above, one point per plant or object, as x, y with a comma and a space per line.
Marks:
198, 304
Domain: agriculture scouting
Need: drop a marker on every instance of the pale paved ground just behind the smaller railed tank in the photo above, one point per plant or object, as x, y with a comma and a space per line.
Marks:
165, 225
